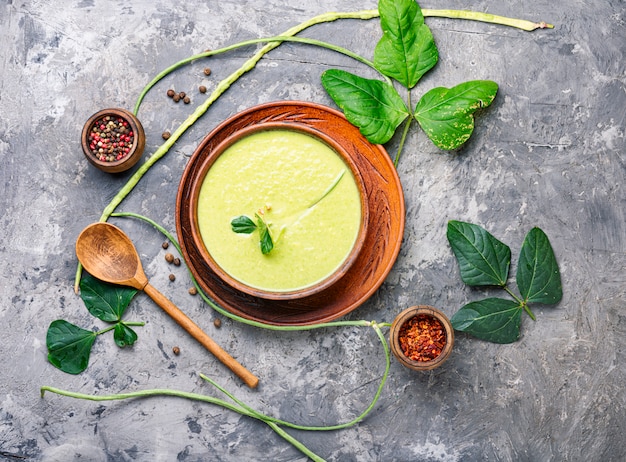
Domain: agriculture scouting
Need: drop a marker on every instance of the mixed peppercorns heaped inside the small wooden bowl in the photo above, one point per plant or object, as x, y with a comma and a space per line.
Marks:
111, 138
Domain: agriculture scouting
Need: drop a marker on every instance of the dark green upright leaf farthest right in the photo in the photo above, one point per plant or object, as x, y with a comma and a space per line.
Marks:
538, 277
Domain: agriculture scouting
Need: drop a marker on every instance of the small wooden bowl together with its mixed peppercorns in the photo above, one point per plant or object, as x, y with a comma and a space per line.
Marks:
113, 140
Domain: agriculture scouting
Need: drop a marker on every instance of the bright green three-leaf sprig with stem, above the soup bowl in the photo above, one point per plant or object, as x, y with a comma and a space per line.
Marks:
405, 52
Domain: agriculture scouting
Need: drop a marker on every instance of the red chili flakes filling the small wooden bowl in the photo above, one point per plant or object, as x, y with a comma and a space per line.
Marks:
422, 338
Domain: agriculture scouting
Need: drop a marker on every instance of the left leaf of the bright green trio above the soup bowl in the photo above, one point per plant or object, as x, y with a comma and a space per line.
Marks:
372, 105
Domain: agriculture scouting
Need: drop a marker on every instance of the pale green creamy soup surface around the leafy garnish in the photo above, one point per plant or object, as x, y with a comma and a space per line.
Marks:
283, 174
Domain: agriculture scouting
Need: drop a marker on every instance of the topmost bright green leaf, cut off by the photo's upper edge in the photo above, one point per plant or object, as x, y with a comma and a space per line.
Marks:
407, 50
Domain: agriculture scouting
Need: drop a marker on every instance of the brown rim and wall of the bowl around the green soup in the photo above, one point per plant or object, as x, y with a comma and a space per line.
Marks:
270, 294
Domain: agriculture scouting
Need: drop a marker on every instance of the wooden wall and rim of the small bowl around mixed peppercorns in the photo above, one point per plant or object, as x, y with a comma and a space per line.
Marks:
135, 150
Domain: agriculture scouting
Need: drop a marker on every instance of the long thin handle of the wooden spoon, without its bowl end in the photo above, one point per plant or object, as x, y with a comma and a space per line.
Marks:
196, 332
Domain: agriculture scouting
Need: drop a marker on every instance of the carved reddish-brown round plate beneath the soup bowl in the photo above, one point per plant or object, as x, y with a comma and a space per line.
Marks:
385, 224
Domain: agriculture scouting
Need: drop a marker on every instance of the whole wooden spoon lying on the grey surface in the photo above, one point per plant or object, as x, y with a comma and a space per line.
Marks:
108, 254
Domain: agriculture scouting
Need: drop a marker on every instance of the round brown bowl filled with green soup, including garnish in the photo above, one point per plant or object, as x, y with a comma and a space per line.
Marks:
280, 211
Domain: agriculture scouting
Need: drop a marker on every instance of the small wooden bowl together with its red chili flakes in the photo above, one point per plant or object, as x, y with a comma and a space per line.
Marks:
421, 338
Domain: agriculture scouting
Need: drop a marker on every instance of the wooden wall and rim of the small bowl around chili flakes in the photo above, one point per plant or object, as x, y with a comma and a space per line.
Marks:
405, 316
